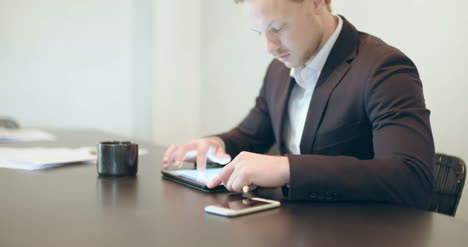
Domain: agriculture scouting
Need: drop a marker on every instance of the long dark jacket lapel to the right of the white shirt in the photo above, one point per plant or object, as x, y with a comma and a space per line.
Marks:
336, 67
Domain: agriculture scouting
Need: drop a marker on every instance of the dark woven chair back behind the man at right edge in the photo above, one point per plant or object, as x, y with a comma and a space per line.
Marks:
449, 179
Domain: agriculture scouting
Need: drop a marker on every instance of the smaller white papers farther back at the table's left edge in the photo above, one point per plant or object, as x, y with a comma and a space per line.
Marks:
24, 135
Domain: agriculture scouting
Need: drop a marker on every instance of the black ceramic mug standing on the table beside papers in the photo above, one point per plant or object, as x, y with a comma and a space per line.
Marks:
117, 159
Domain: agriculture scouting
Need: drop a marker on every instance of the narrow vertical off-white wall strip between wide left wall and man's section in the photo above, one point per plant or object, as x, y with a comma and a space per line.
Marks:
176, 102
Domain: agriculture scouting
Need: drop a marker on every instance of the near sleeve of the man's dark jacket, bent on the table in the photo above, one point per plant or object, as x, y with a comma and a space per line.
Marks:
401, 170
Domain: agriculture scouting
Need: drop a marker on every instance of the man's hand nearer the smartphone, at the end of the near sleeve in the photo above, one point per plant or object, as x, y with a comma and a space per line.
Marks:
254, 170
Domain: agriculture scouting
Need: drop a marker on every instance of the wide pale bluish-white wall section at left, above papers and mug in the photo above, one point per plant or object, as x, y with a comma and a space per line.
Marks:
77, 64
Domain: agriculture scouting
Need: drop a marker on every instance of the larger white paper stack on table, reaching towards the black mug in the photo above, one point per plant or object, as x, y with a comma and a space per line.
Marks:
42, 158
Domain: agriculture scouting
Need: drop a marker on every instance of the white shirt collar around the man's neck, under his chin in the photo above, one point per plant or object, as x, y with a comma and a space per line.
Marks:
314, 65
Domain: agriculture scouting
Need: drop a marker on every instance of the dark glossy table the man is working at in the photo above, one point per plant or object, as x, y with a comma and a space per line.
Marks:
72, 206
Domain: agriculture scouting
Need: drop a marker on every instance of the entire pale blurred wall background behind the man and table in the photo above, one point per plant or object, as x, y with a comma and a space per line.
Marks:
168, 71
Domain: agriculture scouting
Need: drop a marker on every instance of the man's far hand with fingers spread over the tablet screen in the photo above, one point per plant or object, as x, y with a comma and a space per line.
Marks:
210, 148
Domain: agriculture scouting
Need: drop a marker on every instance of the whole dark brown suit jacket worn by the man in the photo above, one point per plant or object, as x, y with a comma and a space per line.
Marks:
367, 134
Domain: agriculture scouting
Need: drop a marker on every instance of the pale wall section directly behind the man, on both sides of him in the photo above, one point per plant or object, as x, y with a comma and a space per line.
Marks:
432, 33
